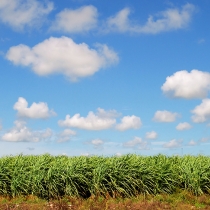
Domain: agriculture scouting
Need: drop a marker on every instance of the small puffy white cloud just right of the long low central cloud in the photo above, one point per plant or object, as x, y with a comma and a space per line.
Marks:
129, 122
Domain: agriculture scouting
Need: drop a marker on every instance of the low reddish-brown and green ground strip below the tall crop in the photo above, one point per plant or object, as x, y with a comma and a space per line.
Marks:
179, 201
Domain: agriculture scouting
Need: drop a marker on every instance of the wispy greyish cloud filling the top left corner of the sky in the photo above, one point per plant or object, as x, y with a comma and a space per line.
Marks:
21, 13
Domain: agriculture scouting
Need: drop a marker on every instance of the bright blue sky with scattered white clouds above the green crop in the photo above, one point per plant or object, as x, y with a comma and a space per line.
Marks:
88, 77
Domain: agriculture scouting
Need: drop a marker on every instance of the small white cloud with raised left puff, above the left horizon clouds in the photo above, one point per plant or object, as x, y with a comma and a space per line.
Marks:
35, 111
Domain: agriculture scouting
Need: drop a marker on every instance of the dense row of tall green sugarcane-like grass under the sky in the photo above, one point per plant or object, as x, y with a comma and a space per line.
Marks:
48, 176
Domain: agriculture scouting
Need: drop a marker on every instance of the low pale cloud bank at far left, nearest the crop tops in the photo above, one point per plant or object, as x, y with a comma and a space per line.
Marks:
21, 133
